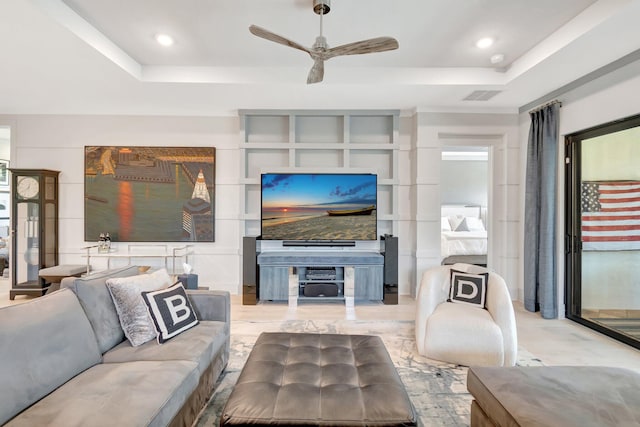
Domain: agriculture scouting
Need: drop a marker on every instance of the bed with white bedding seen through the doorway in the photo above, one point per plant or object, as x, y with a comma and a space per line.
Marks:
463, 236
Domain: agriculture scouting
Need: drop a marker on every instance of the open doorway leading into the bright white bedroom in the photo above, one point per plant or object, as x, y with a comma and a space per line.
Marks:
464, 197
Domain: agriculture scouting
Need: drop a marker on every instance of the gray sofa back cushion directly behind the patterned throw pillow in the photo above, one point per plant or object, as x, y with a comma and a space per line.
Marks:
97, 303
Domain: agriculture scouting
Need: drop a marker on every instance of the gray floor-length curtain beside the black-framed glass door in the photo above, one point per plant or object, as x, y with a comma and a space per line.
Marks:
540, 284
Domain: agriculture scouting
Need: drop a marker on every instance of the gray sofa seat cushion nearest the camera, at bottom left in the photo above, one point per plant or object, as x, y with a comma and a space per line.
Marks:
143, 393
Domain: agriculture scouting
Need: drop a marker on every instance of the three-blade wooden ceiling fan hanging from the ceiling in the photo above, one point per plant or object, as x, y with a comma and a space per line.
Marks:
320, 51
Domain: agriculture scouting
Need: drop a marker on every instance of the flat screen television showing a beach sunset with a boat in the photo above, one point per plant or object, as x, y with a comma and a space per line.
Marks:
319, 206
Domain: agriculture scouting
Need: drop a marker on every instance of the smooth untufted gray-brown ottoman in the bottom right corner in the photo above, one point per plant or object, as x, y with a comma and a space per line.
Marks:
540, 396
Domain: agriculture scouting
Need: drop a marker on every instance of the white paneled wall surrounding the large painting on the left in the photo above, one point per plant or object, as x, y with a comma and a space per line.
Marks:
57, 142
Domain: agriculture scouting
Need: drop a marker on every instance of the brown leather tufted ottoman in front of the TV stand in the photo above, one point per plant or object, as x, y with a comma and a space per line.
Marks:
318, 379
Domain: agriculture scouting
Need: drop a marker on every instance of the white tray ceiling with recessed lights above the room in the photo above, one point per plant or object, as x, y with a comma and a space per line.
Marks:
100, 56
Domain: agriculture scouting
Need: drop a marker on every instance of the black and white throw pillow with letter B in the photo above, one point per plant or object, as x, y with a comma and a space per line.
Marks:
171, 311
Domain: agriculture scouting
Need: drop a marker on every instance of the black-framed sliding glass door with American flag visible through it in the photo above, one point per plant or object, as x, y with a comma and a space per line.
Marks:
603, 229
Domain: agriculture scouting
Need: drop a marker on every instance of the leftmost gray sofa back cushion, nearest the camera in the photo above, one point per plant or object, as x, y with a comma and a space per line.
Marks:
44, 343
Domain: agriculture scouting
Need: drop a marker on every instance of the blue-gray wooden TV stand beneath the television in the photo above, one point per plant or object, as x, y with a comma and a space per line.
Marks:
329, 268
